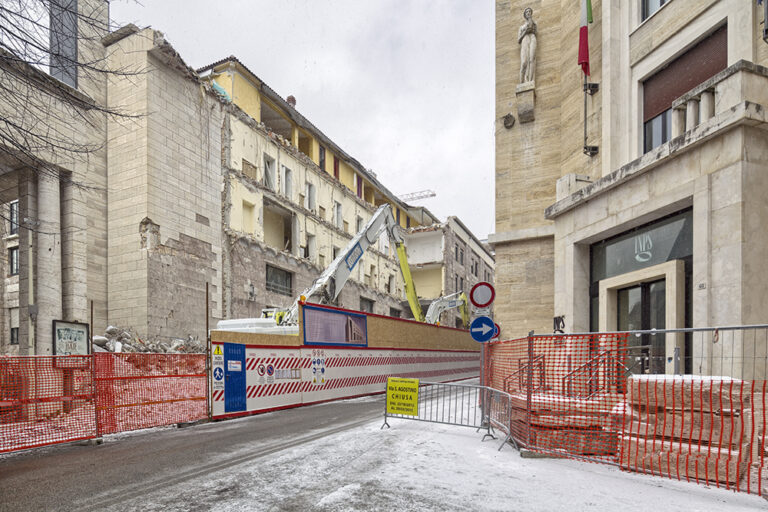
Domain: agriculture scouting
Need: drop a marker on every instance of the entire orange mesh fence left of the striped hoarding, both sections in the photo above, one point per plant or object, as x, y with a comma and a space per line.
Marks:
46, 400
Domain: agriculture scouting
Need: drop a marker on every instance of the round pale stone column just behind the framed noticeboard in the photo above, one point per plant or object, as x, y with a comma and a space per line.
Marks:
48, 283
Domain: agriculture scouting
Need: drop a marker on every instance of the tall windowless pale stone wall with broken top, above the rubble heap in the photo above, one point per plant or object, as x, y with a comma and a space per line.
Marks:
165, 205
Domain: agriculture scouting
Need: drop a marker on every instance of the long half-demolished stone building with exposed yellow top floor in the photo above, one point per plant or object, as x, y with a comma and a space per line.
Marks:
213, 181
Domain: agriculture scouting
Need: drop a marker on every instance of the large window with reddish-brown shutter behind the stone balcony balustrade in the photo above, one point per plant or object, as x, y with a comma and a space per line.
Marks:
695, 66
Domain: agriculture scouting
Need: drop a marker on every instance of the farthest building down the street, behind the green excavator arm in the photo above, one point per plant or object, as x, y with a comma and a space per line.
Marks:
446, 258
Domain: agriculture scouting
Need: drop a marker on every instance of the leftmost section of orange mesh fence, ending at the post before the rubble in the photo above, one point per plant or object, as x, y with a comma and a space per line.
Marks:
45, 400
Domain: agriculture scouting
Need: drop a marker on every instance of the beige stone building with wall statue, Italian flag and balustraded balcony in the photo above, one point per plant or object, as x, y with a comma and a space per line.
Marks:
640, 205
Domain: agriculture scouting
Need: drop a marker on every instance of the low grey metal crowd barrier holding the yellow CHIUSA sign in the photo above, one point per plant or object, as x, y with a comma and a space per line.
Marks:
463, 405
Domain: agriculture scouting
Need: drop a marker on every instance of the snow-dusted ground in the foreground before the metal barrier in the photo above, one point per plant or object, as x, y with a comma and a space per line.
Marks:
417, 466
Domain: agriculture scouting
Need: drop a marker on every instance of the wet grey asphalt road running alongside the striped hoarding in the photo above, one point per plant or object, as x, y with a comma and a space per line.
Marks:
98, 477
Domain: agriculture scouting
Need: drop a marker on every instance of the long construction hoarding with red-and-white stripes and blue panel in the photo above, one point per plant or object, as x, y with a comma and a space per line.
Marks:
257, 375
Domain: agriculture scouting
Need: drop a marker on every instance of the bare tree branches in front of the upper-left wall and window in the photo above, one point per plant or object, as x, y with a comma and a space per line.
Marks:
51, 56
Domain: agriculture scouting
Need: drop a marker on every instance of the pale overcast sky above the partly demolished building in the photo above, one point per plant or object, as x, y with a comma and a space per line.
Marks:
404, 86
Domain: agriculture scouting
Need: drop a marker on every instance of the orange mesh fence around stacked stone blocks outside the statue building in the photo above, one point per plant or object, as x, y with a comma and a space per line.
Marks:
580, 396
